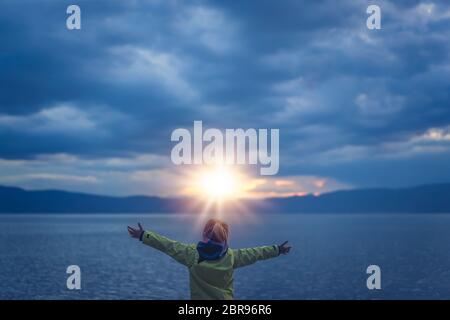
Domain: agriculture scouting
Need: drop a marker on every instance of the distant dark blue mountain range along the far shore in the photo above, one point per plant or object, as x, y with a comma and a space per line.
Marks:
434, 198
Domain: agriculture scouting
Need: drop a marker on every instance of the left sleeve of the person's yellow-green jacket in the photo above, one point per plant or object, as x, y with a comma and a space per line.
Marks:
181, 252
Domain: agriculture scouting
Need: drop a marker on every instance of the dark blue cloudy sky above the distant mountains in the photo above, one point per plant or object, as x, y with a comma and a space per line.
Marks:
92, 110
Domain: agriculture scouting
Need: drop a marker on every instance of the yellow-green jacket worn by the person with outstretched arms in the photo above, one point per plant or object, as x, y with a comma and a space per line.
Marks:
209, 279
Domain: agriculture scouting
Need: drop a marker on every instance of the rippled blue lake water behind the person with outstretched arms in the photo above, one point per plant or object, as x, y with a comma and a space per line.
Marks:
328, 261
